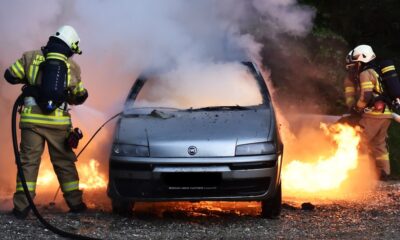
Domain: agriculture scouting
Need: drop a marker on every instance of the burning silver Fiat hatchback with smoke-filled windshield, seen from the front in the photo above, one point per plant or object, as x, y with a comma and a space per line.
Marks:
166, 151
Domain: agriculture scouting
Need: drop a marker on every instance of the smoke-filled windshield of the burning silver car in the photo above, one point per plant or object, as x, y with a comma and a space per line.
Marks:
227, 86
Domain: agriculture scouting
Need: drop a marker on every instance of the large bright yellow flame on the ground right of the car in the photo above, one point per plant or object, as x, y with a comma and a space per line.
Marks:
326, 173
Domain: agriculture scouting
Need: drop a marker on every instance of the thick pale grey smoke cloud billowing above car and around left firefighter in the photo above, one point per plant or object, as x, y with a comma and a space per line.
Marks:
121, 40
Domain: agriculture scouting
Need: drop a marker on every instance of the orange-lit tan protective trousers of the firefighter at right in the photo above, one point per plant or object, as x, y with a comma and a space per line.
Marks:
375, 133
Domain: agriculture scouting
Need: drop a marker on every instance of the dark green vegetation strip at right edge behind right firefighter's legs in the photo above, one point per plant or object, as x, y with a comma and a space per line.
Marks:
394, 148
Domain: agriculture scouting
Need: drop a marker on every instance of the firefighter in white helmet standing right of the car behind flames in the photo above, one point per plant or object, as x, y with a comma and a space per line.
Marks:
362, 89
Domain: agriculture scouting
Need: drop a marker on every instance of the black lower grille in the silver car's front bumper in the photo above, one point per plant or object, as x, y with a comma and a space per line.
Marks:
199, 185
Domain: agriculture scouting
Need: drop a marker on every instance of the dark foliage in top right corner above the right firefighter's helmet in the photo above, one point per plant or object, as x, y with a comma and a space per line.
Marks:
372, 22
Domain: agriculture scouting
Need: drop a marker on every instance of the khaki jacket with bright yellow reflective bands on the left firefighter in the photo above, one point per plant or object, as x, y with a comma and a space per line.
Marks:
26, 71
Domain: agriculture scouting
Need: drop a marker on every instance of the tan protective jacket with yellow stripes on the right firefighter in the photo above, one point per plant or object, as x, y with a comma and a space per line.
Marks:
360, 91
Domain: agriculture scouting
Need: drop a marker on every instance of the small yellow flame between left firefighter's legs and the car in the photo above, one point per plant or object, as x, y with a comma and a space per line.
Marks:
90, 176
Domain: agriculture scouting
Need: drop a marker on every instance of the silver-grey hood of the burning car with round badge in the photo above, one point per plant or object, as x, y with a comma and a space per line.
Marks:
210, 133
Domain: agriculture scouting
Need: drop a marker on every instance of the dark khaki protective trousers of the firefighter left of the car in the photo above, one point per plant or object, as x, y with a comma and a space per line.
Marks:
62, 158
